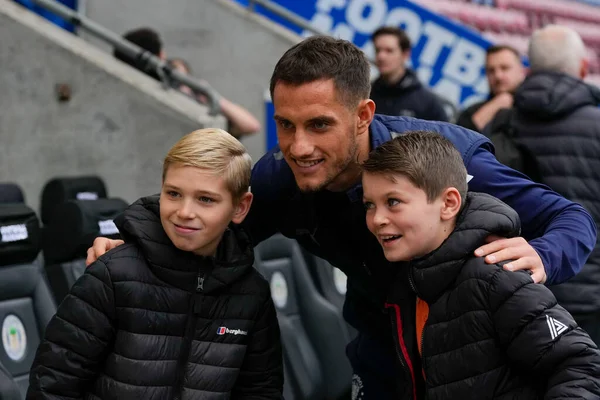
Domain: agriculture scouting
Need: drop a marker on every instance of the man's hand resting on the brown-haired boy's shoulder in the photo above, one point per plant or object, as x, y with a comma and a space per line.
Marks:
520, 254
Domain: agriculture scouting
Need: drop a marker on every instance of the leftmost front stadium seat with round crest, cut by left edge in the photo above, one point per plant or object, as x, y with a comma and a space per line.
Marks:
26, 303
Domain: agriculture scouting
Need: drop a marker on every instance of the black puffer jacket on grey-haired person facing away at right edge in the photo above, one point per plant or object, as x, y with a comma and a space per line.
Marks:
558, 120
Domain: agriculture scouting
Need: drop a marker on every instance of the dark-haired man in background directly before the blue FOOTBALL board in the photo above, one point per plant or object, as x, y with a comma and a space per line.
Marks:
397, 91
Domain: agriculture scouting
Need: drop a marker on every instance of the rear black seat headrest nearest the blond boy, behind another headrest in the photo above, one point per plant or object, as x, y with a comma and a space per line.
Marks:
59, 190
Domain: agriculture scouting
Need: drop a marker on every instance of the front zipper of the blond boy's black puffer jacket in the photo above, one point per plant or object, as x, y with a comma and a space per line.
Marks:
184, 351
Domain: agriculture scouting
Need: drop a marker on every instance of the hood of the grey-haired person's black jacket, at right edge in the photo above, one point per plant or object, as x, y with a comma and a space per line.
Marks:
550, 95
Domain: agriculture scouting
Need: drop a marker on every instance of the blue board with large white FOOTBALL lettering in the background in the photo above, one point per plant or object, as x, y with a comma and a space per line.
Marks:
447, 56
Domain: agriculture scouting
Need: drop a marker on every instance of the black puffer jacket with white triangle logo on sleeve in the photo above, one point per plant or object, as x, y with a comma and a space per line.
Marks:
493, 333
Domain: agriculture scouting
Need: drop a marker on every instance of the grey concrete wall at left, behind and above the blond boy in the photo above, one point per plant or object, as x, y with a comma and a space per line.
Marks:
118, 123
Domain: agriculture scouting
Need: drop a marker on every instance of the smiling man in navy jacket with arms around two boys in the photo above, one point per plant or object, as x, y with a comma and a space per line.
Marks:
309, 188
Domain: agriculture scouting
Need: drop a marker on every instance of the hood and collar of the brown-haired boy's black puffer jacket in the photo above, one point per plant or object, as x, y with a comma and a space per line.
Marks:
481, 216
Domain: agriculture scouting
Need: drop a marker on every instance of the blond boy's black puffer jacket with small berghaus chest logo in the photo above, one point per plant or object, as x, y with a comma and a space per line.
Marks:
148, 321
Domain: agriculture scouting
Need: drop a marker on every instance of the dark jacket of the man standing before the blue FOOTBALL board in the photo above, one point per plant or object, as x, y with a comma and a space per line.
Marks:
408, 98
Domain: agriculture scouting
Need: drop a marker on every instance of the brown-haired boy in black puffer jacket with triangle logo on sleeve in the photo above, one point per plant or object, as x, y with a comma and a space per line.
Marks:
482, 332
